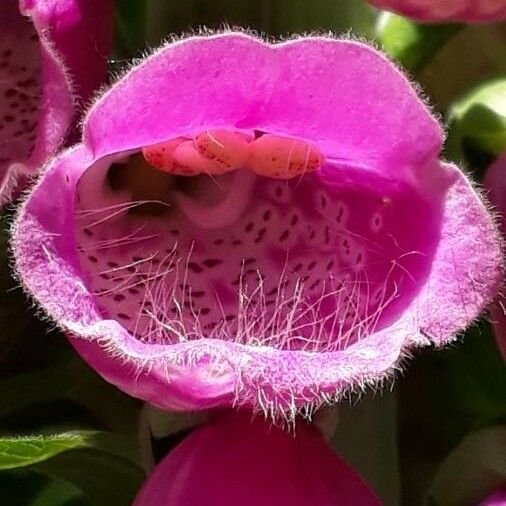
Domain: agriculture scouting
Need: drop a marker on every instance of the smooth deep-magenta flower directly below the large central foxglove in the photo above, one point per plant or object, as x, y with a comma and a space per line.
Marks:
235, 460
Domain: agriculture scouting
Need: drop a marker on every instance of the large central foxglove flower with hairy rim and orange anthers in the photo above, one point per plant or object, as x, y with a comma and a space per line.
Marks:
258, 224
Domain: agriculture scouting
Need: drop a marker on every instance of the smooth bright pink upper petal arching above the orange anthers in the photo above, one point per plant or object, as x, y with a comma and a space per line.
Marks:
289, 88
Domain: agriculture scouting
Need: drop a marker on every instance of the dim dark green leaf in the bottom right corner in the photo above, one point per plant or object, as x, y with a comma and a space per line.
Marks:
473, 470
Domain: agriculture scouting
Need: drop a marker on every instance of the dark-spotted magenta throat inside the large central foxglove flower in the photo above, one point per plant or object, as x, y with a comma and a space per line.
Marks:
314, 262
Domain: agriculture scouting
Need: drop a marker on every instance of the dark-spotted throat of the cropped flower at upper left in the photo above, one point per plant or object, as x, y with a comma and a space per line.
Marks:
20, 87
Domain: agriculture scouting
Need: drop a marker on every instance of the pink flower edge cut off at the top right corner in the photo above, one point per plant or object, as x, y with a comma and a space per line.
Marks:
469, 11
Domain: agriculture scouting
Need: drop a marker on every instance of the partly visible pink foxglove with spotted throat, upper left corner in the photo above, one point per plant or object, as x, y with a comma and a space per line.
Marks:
53, 54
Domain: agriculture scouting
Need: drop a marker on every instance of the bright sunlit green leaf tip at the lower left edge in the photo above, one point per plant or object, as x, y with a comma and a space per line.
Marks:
28, 450
